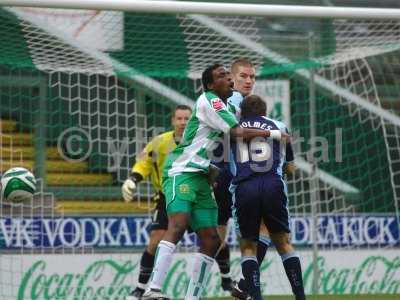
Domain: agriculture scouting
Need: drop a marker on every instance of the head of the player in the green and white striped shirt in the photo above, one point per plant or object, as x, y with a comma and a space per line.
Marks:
217, 79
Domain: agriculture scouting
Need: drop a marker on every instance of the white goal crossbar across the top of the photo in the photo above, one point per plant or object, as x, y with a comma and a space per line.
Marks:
214, 8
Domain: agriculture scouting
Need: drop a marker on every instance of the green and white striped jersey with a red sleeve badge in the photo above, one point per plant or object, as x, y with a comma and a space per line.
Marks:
210, 119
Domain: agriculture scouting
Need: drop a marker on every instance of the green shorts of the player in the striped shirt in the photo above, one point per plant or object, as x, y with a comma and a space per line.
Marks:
191, 193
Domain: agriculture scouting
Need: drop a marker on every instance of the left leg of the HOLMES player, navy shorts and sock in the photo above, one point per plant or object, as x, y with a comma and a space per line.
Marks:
247, 217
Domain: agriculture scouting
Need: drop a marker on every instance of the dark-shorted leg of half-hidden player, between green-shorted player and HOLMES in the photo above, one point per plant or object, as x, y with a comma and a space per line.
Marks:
224, 202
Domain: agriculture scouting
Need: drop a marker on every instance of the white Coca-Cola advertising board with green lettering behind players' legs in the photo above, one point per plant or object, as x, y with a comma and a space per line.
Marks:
364, 272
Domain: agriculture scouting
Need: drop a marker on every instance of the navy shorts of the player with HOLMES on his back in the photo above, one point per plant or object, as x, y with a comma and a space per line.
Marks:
260, 198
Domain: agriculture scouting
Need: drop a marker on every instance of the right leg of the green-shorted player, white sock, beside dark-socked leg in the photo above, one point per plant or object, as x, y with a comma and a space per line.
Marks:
204, 223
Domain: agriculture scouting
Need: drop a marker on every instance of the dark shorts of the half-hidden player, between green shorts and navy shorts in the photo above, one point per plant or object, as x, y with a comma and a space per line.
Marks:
223, 197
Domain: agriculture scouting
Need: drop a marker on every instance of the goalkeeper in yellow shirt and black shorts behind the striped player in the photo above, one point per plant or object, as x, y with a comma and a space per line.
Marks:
150, 163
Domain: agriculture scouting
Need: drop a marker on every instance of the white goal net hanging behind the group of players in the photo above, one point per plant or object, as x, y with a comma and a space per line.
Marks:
82, 92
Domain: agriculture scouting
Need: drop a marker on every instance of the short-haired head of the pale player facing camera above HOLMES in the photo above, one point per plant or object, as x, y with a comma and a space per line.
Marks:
243, 76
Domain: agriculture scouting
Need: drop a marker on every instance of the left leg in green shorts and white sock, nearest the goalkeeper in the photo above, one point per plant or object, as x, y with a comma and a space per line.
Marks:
179, 195
